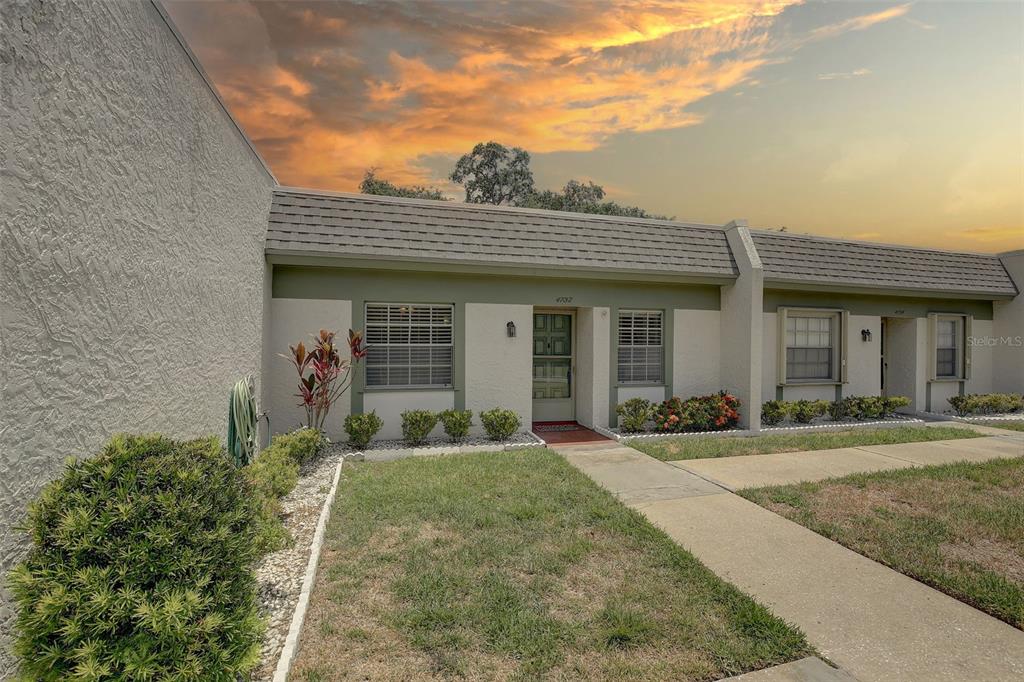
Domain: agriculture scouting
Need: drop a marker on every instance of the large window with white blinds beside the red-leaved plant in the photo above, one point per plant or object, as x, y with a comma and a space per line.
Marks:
409, 346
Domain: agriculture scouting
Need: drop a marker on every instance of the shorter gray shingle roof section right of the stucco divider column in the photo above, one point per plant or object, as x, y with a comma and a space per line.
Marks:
798, 259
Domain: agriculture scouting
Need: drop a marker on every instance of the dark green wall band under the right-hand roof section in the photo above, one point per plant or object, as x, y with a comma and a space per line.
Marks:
865, 305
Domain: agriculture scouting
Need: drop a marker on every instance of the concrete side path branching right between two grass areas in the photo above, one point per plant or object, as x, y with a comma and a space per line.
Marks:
756, 471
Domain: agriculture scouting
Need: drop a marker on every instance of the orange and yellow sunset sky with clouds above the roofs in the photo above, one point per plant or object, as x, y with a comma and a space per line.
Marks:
875, 121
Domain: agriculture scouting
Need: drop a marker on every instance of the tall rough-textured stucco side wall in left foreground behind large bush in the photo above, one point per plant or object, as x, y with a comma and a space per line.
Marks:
133, 221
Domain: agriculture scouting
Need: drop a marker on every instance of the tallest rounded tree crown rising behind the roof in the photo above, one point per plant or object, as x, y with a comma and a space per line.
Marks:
493, 174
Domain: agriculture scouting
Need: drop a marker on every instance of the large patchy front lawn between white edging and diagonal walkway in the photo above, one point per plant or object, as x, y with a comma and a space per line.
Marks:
516, 566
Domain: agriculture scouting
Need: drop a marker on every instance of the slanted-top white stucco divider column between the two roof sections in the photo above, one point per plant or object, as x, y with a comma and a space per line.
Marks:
742, 326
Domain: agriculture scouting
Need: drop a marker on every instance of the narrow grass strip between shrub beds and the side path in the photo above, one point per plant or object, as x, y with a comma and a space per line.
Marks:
697, 448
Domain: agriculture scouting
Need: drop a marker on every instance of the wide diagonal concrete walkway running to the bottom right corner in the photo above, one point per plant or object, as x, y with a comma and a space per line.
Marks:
874, 623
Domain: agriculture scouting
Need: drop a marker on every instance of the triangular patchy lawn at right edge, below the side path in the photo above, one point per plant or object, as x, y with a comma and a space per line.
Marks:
959, 528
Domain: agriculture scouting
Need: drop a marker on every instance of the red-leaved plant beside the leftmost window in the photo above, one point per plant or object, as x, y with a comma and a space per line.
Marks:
324, 374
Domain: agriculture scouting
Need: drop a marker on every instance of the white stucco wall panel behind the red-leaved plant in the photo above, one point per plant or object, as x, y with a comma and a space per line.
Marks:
291, 321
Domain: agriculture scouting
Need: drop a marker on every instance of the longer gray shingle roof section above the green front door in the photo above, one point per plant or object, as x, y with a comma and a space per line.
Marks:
363, 226
